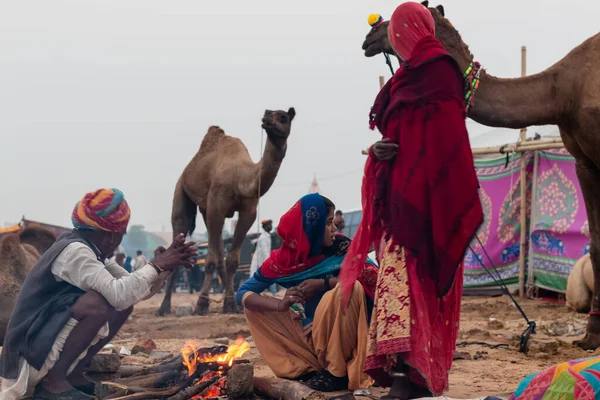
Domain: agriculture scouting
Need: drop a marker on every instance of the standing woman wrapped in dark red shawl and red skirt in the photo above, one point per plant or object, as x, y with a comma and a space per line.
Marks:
420, 209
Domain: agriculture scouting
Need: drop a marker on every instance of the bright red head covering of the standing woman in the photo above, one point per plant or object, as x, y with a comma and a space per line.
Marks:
410, 23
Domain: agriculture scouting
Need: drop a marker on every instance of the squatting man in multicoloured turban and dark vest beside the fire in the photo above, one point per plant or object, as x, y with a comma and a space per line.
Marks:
74, 301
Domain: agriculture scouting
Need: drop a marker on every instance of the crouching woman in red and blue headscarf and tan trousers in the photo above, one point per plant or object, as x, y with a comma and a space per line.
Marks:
325, 347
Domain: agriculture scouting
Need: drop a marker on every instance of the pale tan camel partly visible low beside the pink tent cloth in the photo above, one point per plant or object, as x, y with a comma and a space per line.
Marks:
580, 285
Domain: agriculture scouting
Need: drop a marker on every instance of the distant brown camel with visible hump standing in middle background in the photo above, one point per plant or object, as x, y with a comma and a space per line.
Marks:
220, 180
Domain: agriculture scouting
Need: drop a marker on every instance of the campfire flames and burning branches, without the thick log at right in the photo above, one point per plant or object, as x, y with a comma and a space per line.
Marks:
198, 373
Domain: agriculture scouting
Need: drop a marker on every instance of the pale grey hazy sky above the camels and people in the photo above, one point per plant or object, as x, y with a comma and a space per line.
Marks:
120, 93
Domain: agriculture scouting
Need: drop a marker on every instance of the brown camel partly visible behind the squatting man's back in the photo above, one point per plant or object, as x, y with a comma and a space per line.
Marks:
18, 255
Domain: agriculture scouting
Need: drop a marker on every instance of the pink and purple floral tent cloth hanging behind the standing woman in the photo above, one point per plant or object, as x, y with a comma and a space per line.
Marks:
557, 221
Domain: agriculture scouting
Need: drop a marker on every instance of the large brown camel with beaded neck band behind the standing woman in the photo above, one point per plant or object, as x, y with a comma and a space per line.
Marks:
566, 94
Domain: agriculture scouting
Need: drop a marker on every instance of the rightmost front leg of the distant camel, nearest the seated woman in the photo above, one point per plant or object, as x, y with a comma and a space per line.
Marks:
245, 222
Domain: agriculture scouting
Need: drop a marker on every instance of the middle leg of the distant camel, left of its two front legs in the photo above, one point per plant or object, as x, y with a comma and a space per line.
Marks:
214, 221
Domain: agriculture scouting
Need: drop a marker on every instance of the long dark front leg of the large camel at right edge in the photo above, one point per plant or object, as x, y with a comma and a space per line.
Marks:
589, 179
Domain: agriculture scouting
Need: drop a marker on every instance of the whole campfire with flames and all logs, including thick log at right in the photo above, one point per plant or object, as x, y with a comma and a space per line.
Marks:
200, 373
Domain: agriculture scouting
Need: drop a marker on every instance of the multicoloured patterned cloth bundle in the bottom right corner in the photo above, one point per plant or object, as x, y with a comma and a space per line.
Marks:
577, 380
